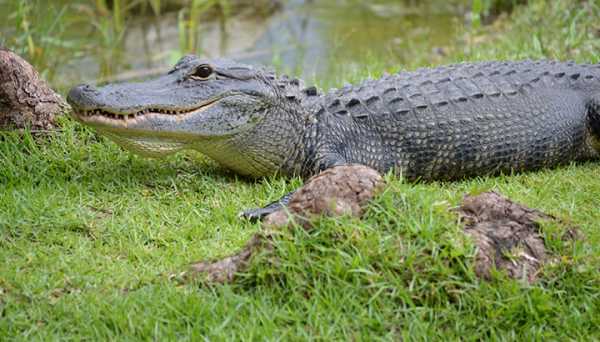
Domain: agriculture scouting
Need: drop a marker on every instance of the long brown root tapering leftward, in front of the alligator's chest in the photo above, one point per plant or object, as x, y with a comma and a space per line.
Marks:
341, 190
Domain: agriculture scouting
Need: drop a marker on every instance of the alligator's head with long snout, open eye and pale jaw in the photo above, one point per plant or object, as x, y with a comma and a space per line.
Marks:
234, 113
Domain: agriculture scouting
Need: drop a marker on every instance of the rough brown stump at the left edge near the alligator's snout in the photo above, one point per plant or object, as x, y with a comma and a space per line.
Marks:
25, 99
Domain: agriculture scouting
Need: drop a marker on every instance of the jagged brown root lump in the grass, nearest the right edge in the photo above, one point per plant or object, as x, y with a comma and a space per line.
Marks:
507, 235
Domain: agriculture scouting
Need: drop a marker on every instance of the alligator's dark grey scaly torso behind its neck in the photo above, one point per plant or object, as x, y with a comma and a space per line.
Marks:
463, 120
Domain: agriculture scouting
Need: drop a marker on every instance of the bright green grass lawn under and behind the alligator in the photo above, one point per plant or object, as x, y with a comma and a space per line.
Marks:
90, 233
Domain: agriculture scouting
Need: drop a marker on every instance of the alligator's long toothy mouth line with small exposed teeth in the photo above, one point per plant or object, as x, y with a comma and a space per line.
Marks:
107, 117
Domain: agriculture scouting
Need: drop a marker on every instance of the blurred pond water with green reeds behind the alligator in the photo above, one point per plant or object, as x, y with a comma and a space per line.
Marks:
106, 40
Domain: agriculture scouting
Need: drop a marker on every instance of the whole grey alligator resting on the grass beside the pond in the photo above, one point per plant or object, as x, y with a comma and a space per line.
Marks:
444, 123
